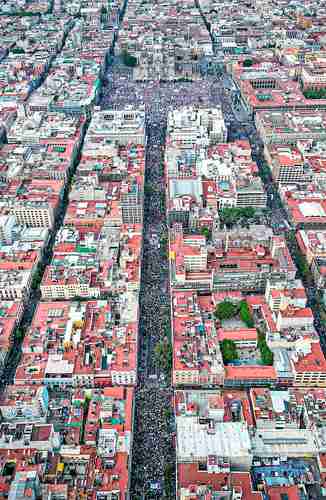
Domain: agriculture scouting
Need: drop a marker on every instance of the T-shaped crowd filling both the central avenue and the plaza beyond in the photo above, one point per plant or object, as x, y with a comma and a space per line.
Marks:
153, 464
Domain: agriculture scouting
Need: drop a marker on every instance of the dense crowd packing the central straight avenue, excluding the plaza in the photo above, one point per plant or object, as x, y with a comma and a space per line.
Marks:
153, 447
